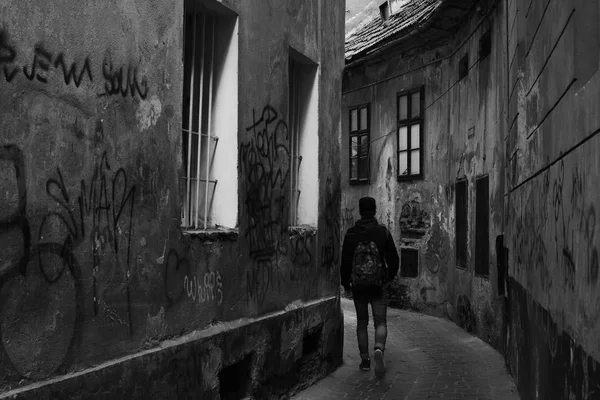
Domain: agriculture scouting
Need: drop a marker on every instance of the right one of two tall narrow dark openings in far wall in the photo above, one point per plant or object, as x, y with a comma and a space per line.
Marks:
482, 217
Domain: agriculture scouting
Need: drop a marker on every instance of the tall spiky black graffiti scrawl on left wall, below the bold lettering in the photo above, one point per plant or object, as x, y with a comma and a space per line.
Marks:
108, 200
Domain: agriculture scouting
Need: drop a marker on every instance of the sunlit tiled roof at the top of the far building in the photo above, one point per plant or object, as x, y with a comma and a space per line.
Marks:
374, 31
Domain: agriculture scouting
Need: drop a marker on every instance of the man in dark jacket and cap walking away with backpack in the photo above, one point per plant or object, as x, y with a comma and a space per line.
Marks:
369, 262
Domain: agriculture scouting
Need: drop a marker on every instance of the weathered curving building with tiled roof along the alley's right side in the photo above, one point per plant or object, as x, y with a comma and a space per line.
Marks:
463, 119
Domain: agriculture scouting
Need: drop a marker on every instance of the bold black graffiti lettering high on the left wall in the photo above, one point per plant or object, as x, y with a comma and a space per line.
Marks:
46, 66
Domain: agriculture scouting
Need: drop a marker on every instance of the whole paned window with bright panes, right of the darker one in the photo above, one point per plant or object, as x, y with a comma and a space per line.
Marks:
410, 134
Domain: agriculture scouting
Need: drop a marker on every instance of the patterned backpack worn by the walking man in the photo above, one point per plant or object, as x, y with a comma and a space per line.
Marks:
368, 269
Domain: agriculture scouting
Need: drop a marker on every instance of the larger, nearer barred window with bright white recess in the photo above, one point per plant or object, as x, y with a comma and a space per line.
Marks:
209, 122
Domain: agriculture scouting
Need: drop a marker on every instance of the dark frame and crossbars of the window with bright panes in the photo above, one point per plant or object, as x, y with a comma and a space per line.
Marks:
410, 120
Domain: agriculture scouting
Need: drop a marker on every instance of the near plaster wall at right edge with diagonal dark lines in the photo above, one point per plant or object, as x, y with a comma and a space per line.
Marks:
553, 166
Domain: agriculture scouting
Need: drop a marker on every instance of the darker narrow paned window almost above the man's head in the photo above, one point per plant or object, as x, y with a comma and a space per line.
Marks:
359, 144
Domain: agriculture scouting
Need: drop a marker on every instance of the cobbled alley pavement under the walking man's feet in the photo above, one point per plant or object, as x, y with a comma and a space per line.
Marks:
426, 357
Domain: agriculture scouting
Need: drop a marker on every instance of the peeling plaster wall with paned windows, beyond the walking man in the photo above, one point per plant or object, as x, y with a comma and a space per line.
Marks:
463, 128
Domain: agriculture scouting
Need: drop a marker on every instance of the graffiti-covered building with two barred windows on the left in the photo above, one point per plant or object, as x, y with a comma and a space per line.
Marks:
170, 197
